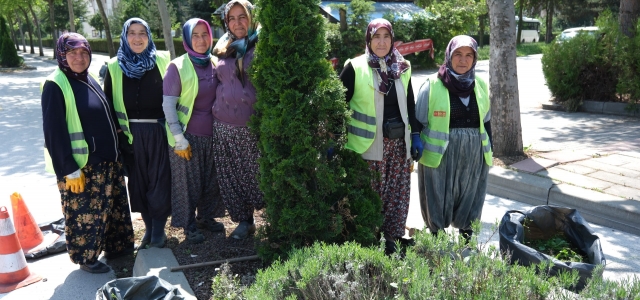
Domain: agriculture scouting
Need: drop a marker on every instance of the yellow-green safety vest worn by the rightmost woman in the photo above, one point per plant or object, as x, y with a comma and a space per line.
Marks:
436, 136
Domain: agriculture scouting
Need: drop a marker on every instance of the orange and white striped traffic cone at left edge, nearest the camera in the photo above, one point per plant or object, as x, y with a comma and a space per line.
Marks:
14, 272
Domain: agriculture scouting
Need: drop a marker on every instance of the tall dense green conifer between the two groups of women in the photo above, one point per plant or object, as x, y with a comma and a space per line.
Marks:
301, 113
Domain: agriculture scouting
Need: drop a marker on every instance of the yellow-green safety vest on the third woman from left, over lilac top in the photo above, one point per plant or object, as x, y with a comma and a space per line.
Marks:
189, 83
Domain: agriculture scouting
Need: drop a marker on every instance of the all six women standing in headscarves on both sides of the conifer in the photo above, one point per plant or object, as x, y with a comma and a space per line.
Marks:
179, 131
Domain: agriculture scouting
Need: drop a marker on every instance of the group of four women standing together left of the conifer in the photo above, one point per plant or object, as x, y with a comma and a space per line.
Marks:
177, 129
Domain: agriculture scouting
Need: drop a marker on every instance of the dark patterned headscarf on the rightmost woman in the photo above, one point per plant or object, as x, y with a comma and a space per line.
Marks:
460, 84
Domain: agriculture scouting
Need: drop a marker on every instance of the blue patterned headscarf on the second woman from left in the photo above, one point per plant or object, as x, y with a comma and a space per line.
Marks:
134, 65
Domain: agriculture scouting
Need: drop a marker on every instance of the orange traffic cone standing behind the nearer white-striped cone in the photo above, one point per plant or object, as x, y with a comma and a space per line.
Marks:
29, 233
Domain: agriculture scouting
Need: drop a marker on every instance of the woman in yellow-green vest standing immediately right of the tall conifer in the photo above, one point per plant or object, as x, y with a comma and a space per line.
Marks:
383, 127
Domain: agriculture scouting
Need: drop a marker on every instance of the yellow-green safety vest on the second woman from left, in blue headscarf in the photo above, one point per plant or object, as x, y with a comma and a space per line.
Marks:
162, 60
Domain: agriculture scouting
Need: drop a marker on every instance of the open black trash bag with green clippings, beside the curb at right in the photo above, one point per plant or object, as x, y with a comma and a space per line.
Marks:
546, 222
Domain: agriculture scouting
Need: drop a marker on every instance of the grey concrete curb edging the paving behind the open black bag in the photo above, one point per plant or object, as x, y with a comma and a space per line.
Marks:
598, 208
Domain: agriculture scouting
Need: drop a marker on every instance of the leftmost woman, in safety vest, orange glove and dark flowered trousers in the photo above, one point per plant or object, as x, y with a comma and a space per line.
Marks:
81, 142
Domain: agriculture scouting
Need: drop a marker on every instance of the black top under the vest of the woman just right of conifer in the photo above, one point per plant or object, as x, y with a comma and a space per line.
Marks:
391, 108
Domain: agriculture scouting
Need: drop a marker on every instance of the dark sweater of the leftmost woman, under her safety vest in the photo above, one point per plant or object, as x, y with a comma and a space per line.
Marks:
97, 118
